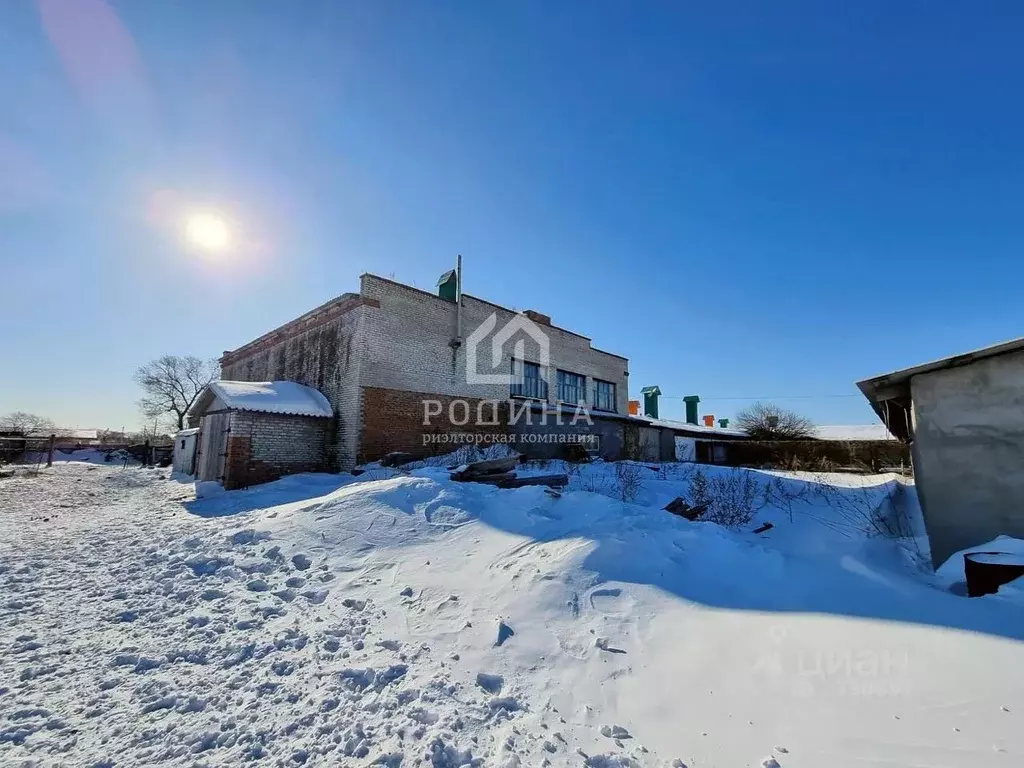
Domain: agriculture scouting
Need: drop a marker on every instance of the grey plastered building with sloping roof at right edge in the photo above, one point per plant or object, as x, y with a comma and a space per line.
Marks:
964, 418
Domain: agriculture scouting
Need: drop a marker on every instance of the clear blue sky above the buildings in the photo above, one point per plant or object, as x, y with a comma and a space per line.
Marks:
749, 200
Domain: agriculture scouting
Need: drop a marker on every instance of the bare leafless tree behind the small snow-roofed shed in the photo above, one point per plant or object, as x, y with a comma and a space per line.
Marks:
172, 385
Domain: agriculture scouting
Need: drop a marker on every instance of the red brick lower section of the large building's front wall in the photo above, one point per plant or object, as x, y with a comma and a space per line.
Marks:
393, 420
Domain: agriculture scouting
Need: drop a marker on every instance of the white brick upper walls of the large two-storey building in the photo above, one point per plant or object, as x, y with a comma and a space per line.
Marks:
404, 345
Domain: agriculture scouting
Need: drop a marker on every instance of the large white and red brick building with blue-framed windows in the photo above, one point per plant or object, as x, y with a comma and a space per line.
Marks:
379, 356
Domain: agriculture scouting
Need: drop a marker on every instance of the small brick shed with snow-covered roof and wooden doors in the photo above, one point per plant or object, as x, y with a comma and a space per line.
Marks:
257, 432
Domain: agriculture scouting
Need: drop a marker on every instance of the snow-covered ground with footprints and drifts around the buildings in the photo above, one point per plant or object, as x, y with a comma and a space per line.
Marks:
408, 620
